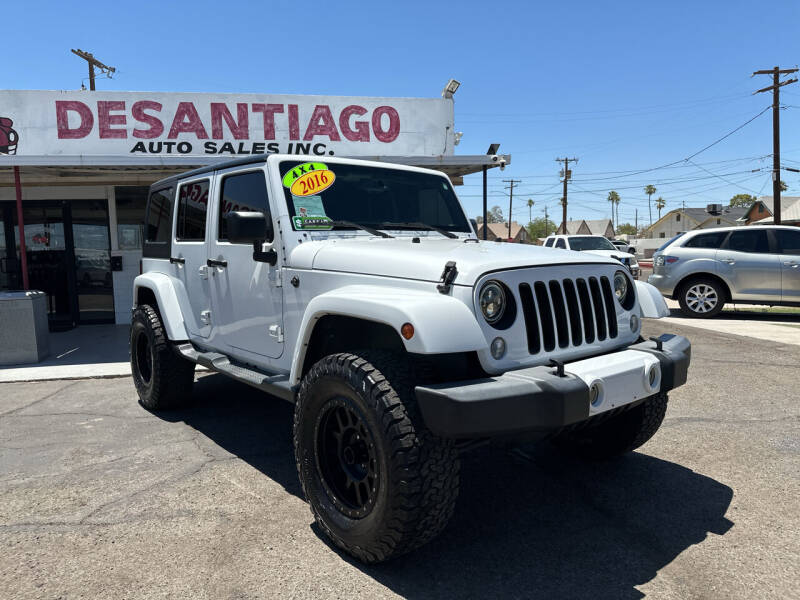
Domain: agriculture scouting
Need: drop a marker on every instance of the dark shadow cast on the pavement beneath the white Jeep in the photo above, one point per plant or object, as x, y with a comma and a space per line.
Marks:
529, 522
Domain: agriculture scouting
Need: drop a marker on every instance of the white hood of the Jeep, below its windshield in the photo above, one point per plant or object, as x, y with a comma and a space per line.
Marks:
400, 257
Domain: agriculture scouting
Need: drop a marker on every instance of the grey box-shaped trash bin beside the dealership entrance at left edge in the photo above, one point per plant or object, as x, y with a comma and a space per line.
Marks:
24, 336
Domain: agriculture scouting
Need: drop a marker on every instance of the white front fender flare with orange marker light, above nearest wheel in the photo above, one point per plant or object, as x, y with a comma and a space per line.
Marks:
442, 324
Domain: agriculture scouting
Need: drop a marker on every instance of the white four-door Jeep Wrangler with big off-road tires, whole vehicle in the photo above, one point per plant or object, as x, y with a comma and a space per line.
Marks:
358, 291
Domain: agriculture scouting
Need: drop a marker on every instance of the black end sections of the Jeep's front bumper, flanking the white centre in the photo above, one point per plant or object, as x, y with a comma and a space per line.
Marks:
542, 401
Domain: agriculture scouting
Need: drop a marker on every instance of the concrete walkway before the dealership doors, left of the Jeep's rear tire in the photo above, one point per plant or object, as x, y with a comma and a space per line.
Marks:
84, 352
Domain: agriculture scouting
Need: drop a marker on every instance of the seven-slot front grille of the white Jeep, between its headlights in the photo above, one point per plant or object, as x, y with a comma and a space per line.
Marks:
567, 312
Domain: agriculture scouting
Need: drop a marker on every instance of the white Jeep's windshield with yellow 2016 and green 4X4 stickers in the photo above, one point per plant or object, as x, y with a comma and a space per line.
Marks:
322, 196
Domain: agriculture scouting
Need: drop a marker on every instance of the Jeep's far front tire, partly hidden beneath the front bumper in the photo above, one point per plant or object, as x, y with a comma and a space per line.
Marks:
618, 435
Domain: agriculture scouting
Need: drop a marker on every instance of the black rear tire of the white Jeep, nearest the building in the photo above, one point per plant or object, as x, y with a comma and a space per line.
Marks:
163, 378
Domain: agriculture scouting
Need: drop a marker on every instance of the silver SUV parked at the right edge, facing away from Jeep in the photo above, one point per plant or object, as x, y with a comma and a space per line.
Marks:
706, 268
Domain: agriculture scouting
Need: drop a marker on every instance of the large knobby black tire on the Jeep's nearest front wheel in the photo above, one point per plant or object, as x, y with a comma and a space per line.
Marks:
417, 480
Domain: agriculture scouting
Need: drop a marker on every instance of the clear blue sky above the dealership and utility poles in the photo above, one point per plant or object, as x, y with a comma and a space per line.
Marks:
623, 86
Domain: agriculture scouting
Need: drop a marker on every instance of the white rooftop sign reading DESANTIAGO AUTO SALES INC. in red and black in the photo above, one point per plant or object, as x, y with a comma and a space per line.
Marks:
81, 123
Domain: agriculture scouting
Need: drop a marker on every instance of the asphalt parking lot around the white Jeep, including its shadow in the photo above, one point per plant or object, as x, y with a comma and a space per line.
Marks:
101, 499
